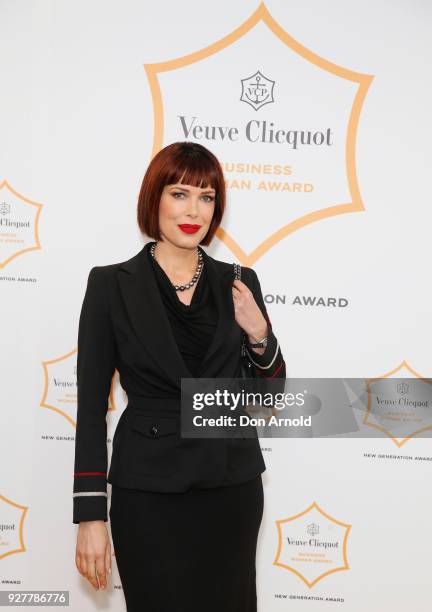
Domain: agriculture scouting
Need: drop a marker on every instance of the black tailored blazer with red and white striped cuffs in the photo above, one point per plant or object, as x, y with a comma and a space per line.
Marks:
123, 325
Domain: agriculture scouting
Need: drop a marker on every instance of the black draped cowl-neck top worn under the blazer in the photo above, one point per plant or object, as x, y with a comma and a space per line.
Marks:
193, 326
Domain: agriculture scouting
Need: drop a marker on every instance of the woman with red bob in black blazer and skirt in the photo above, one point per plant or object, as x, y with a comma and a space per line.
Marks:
185, 513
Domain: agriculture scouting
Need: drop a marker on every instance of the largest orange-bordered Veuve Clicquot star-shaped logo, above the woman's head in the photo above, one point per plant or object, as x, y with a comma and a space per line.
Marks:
283, 125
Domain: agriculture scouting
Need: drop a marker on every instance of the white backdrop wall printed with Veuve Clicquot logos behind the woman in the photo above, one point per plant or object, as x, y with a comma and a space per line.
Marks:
90, 91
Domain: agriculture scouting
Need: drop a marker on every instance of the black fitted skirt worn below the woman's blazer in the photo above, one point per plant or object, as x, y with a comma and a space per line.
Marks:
188, 552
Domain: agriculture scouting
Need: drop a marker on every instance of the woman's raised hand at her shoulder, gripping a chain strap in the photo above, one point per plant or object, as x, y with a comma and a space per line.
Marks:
247, 312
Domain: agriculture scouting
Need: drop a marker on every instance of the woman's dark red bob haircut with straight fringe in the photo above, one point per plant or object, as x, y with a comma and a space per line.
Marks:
186, 162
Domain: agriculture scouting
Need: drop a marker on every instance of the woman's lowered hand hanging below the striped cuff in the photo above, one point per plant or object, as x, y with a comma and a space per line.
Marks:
93, 552
